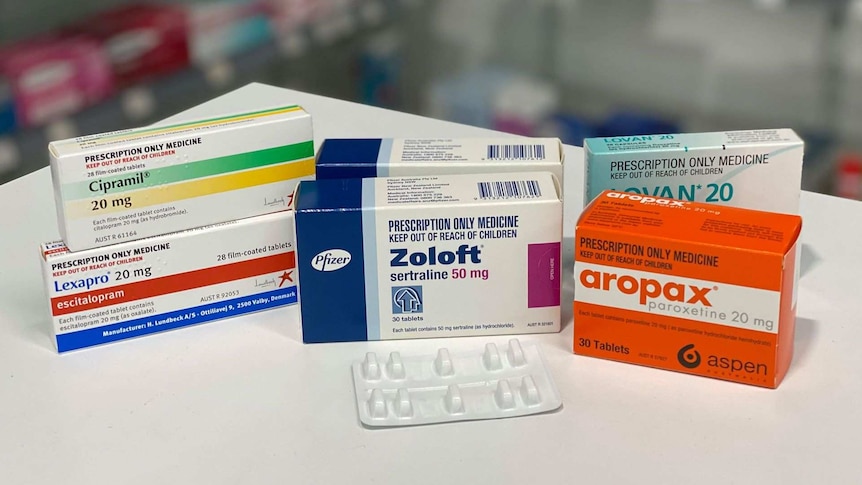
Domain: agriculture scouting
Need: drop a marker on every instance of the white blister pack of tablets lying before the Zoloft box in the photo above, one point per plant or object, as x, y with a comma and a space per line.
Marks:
488, 384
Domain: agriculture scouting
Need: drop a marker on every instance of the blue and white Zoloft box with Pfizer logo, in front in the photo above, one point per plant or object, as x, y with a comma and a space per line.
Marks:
434, 256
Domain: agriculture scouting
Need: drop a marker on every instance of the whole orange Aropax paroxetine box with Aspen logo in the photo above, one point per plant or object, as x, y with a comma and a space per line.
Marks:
686, 286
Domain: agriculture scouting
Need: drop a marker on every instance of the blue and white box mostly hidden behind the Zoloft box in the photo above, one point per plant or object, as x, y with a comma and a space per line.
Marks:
396, 157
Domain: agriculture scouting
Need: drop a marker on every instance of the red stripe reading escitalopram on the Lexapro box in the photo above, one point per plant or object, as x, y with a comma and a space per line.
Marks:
174, 283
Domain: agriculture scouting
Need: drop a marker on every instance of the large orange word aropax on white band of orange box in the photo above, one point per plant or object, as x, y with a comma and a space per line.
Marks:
646, 288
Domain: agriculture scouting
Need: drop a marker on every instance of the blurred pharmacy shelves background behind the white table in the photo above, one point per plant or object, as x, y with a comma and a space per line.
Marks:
566, 68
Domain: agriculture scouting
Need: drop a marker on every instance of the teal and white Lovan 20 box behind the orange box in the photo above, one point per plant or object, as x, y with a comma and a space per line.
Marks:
760, 169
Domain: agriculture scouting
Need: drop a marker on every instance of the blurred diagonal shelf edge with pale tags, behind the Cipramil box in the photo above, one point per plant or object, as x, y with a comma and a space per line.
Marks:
24, 151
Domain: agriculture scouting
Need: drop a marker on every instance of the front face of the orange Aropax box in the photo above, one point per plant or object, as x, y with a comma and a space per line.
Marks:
704, 323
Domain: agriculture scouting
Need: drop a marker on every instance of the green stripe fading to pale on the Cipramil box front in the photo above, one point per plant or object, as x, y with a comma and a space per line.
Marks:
193, 170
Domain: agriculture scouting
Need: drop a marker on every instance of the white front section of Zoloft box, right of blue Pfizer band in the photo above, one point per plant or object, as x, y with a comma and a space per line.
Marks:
472, 271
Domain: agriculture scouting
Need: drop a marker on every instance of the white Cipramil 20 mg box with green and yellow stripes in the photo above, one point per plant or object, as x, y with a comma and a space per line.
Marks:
132, 184
